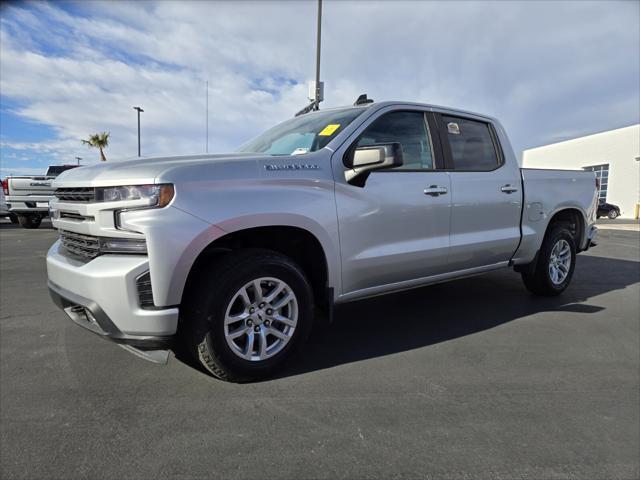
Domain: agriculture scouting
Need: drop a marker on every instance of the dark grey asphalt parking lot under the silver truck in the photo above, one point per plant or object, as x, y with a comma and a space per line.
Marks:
471, 379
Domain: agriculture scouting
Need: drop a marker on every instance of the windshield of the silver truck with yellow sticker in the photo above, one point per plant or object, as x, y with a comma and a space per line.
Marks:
303, 134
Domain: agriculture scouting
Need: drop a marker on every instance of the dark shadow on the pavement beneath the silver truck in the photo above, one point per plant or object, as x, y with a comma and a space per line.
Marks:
430, 315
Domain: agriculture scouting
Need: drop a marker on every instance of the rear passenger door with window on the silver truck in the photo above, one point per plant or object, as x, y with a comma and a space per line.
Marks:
486, 193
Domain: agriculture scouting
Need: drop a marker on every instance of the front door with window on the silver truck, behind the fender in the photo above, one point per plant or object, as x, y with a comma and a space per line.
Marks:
396, 227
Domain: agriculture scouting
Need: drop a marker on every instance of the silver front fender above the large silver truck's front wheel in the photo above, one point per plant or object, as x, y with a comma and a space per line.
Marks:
303, 202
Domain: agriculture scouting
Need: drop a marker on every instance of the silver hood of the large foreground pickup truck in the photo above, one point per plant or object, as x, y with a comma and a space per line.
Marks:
142, 170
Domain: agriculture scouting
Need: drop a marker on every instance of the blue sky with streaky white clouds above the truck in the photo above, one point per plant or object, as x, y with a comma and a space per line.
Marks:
549, 70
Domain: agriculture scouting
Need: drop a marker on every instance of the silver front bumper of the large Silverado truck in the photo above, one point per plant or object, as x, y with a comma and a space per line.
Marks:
105, 294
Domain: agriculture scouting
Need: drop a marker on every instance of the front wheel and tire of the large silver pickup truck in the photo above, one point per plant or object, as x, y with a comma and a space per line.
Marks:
218, 296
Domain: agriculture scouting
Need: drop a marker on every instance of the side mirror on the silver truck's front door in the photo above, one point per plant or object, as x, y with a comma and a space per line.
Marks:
364, 160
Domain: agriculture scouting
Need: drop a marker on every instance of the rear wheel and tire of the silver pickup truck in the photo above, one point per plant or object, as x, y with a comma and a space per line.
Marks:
540, 280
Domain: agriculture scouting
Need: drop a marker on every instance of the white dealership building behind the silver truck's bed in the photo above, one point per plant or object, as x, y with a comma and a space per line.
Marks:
613, 155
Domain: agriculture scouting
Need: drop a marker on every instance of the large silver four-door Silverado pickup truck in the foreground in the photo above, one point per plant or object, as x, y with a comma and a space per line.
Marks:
236, 254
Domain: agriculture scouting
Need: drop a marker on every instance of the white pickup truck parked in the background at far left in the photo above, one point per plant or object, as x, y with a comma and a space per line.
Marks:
28, 198
